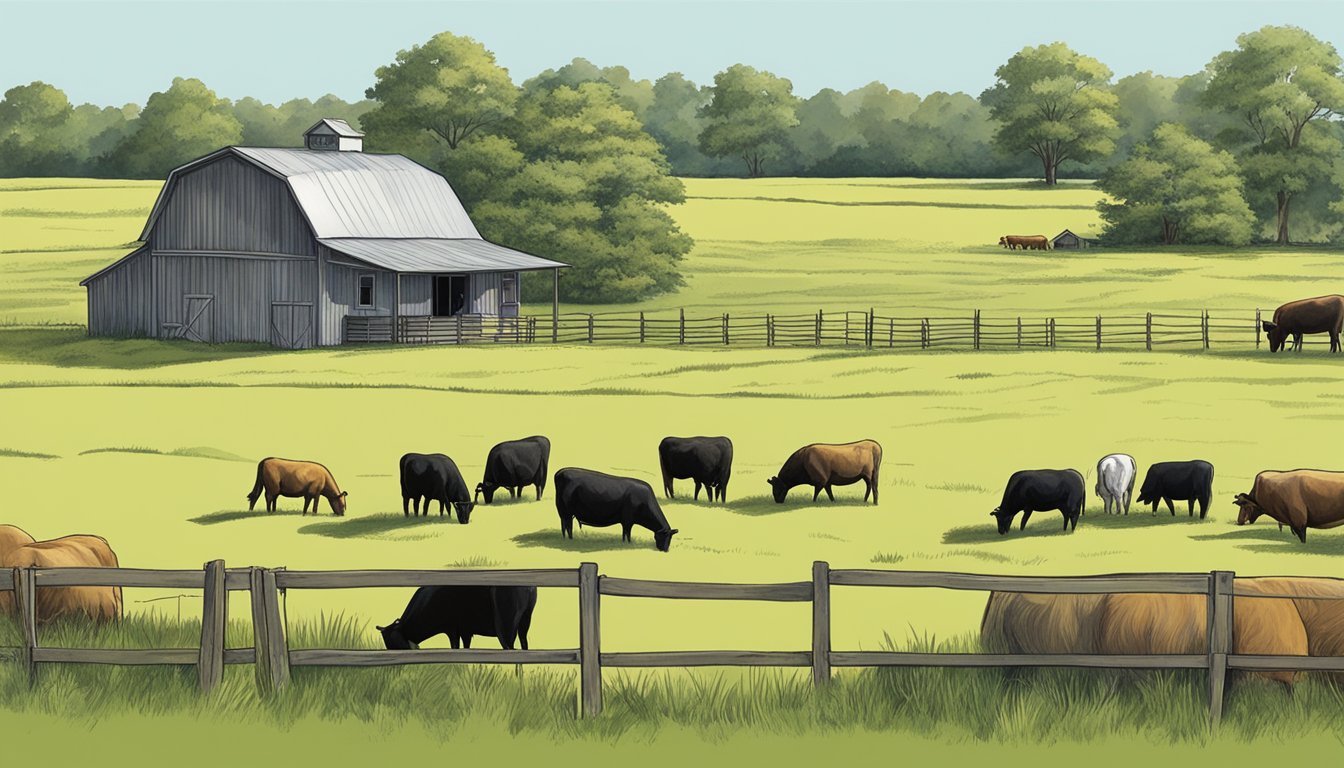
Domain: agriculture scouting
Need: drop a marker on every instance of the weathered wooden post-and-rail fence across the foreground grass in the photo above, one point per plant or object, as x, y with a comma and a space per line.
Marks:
274, 660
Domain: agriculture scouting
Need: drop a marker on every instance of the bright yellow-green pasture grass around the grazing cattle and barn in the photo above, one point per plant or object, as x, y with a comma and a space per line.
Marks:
155, 445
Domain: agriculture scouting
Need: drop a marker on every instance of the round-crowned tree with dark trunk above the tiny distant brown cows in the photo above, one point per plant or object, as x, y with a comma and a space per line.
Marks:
1056, 104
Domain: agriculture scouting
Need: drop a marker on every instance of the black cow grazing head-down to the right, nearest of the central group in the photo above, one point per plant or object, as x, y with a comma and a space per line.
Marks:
599, 500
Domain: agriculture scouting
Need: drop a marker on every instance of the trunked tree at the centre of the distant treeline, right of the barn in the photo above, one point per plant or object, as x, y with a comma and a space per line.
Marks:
749, 116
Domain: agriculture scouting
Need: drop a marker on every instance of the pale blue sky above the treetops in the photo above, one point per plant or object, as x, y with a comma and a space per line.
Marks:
114, 52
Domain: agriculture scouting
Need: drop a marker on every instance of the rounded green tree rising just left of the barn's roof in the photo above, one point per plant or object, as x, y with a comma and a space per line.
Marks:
177, 126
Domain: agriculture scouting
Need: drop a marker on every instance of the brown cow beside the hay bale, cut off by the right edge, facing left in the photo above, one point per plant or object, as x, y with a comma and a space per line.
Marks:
1299, 500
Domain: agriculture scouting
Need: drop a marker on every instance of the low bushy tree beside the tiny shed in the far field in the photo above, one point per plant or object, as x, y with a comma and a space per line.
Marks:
1177, 189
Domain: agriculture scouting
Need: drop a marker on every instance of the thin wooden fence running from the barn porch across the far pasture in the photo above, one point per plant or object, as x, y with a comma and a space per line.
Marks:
1190, 330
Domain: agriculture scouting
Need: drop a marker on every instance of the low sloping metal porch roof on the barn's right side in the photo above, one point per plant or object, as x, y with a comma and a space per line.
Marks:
439, 255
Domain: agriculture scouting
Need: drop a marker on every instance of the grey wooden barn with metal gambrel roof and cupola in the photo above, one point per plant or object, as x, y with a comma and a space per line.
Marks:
312, 247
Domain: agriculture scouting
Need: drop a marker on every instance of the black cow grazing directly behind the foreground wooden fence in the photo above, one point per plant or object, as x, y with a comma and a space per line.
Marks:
505, 613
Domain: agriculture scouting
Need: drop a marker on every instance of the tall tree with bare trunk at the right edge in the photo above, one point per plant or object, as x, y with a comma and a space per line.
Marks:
1284, 85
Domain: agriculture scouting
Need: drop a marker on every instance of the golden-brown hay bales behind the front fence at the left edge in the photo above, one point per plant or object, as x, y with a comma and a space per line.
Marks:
96, 603
